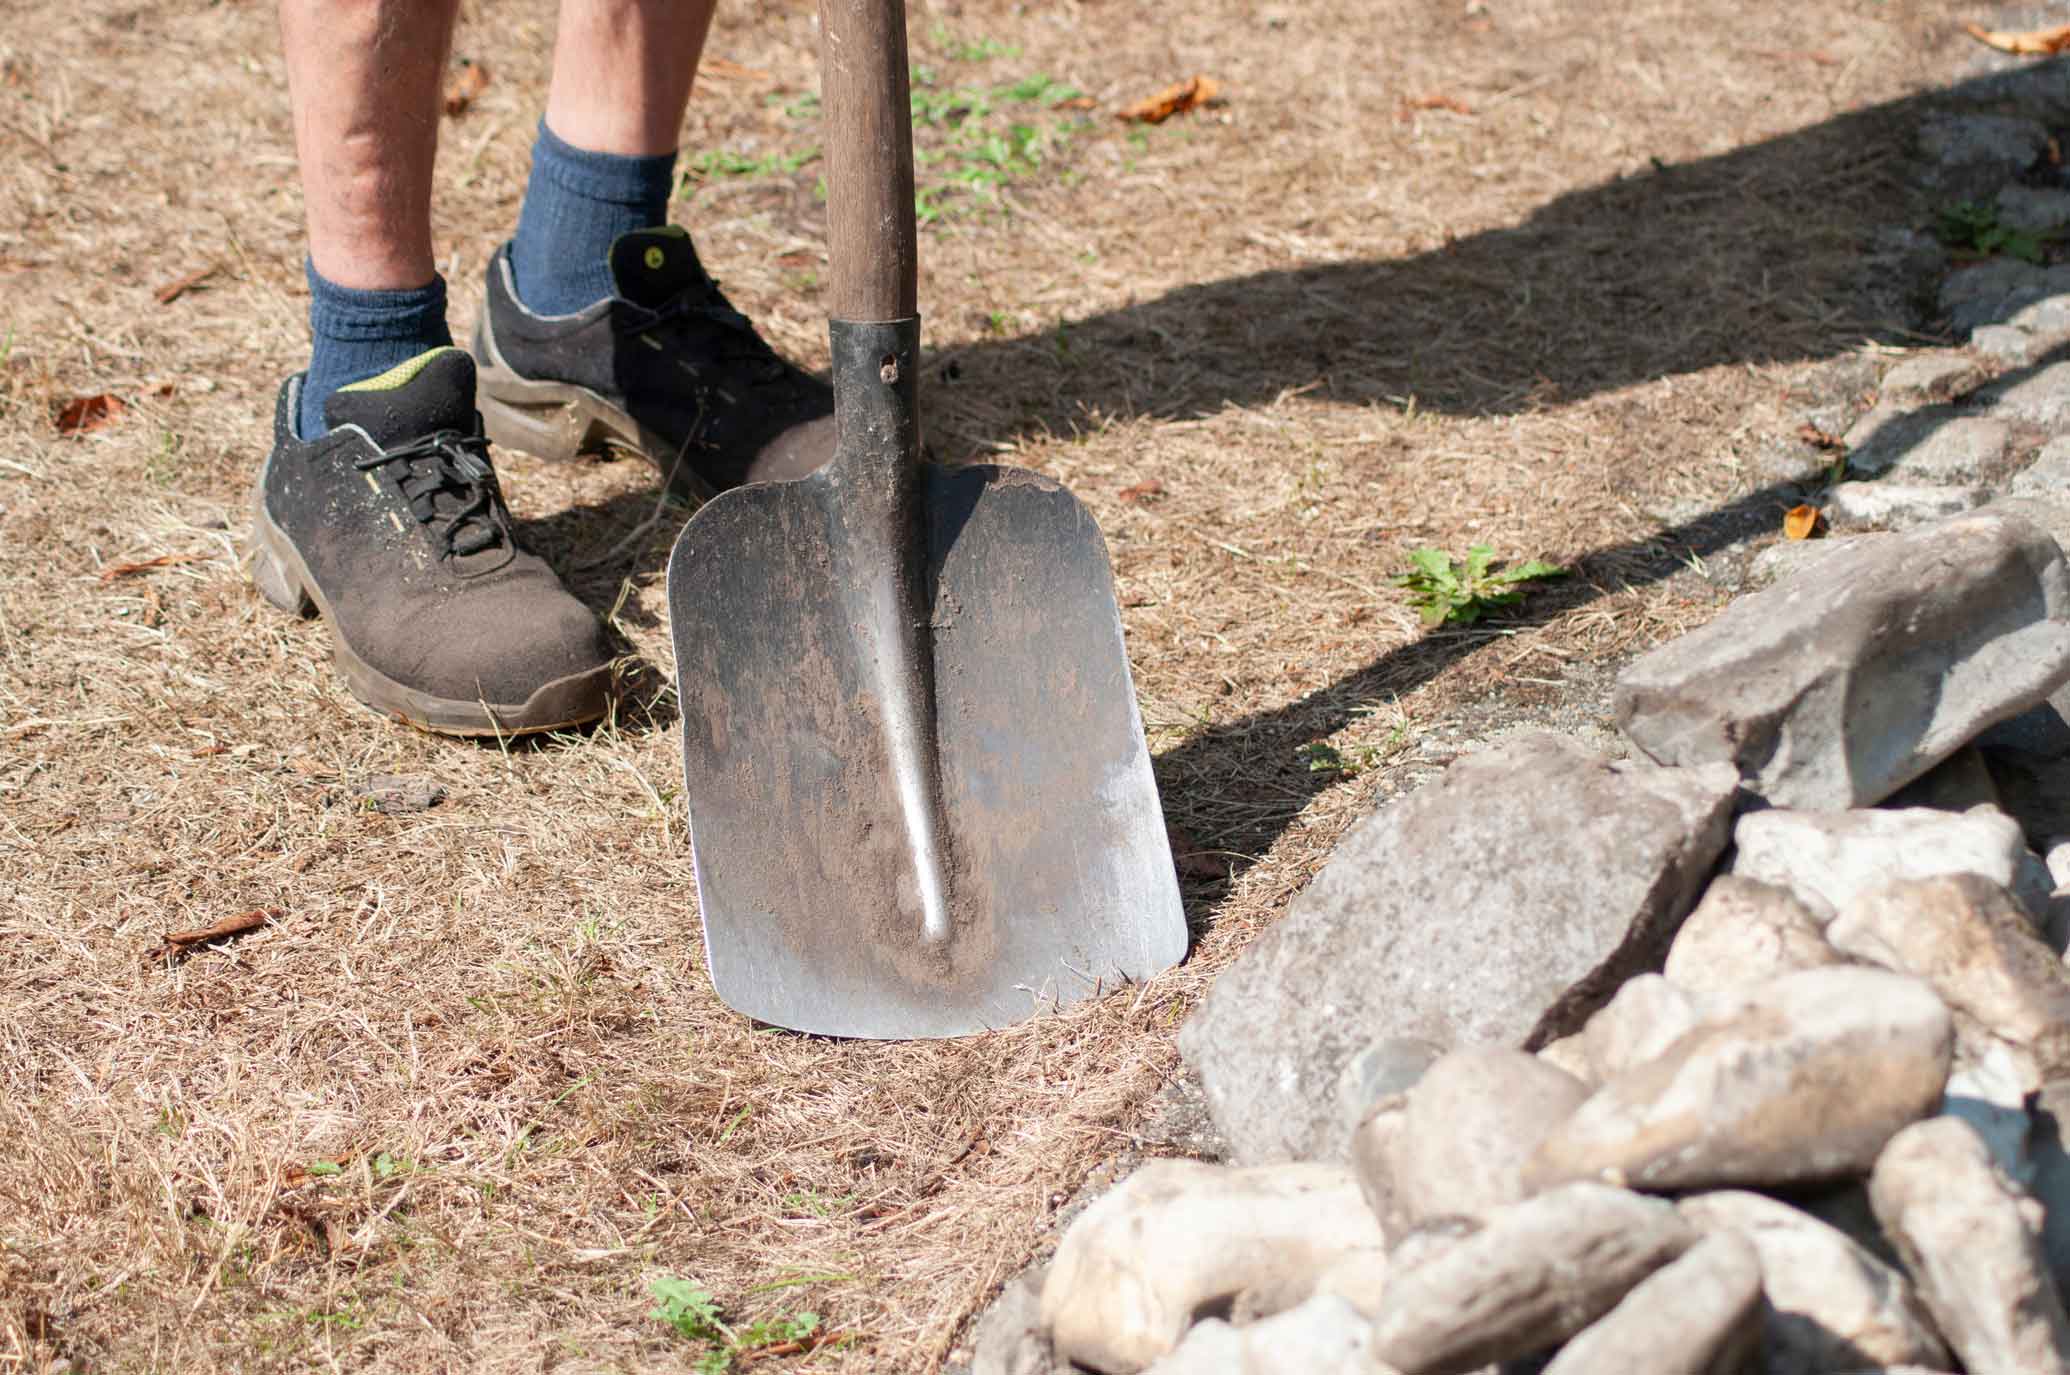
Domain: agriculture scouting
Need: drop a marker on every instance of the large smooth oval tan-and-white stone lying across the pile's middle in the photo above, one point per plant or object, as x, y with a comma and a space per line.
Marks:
1794, 1082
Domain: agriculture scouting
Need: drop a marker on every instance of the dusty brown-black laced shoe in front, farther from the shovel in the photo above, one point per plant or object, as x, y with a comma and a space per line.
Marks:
394, 529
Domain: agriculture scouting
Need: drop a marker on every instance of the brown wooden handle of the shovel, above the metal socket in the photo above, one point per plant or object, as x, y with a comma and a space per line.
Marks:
868, 158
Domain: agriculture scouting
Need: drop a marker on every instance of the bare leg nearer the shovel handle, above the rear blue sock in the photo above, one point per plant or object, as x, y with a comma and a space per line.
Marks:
622, 74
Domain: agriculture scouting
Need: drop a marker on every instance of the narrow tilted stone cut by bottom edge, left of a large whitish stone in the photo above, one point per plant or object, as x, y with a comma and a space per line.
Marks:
1694, 1316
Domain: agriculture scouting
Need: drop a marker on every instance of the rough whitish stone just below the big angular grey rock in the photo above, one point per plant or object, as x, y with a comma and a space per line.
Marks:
1831, 858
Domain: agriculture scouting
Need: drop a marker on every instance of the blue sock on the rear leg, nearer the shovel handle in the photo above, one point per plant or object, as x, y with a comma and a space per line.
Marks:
574, 206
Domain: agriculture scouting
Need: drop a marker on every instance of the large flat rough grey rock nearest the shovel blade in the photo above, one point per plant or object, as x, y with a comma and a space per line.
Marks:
1500, 904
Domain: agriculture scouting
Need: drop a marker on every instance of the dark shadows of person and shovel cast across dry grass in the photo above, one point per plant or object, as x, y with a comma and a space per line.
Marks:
1779, 252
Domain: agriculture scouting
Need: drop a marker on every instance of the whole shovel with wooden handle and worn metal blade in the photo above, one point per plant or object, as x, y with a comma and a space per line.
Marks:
920, 798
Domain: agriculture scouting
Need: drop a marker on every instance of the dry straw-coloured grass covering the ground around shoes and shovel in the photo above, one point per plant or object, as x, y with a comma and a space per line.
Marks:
1324, 324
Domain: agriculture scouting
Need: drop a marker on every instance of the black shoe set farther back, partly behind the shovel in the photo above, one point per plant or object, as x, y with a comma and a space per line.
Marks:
666, 368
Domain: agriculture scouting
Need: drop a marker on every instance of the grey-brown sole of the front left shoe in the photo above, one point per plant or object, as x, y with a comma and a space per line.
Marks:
285, 581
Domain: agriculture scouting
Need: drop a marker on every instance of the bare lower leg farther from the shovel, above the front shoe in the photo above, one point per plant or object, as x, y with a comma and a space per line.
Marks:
363, 78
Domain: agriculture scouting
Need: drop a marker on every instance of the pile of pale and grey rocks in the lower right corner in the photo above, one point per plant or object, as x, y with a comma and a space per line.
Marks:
1562, 1067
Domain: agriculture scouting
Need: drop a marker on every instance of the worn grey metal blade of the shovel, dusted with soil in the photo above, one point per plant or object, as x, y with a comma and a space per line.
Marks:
1057, 862
